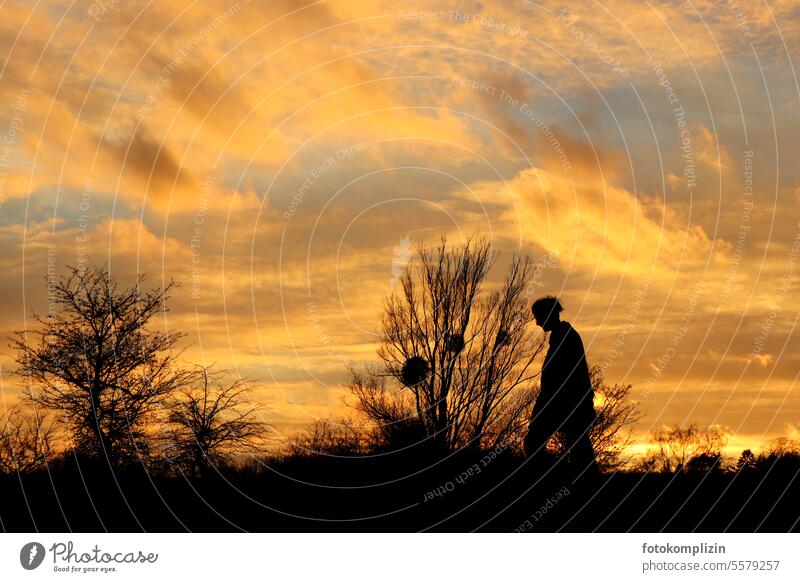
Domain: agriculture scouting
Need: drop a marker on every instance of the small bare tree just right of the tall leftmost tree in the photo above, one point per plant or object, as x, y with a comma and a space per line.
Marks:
212, 422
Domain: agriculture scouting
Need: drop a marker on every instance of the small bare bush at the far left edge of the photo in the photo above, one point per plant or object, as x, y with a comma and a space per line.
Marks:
26, 439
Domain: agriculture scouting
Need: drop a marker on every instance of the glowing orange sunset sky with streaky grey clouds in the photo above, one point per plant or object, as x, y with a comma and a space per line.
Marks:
283, 159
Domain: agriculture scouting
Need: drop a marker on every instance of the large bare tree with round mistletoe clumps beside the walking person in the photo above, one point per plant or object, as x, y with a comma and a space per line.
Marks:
464, 354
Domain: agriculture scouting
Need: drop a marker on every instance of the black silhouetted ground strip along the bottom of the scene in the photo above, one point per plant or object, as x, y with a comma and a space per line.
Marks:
390, 493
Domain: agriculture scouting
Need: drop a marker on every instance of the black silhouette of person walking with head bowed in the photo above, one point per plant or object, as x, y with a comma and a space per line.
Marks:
565, 403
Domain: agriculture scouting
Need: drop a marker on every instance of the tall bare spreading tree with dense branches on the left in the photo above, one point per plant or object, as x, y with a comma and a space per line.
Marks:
99, 365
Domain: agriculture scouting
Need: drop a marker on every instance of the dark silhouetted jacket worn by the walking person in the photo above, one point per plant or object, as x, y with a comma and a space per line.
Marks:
566, 389
